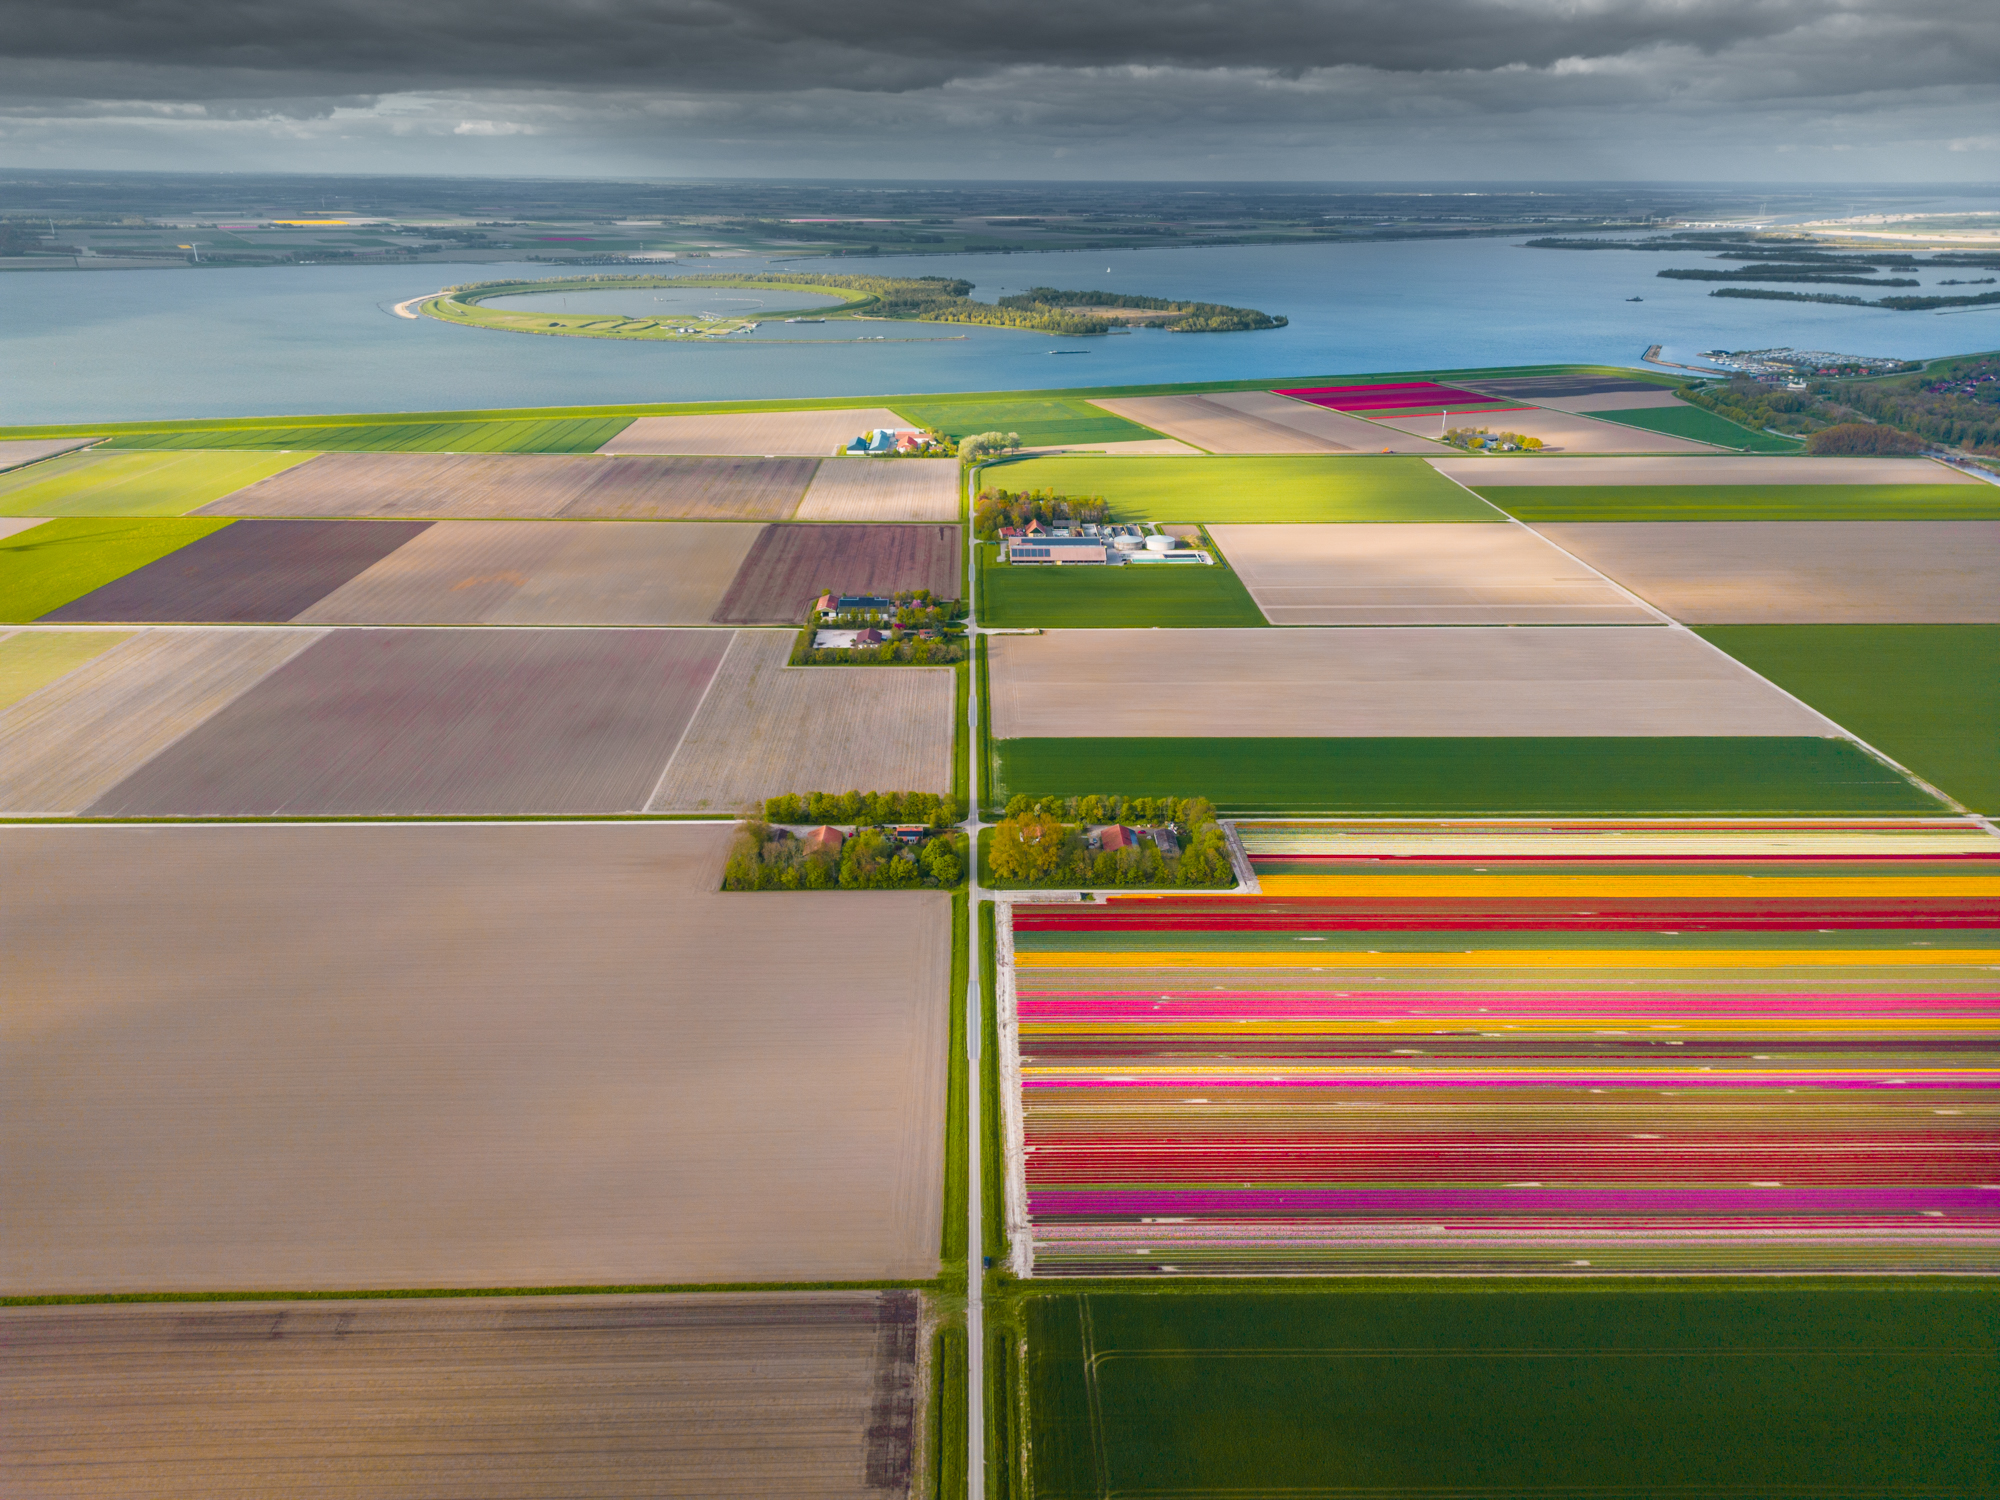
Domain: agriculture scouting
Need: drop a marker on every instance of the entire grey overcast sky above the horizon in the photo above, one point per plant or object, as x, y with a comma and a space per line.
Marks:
1819, 91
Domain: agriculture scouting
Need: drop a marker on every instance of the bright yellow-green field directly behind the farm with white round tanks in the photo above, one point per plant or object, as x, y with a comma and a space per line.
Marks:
1275, 489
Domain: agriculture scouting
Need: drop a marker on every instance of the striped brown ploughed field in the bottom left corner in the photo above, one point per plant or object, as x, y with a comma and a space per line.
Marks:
789, 1393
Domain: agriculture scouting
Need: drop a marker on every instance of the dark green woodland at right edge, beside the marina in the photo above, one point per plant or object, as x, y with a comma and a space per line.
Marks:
1949, 403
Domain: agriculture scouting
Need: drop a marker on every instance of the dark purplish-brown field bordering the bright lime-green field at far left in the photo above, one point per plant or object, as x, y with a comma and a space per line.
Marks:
247, 573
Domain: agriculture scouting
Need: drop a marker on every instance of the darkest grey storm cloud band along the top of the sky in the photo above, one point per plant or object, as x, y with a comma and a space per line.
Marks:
195, 49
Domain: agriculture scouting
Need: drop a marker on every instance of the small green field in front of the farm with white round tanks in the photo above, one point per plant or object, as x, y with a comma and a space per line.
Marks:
1107, 599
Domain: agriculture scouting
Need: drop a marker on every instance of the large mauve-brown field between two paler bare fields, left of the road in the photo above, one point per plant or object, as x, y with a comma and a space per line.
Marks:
439, 723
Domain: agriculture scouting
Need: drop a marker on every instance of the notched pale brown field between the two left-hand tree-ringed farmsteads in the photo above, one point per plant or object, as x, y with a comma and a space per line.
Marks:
769, 729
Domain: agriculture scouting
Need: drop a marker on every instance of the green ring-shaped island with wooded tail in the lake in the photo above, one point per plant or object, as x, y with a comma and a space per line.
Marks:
921, 299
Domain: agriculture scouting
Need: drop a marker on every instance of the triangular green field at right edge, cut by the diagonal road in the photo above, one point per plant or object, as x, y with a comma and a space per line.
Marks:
1925, 695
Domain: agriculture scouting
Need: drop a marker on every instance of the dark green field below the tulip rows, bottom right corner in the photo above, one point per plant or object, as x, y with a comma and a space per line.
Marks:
1507, 1389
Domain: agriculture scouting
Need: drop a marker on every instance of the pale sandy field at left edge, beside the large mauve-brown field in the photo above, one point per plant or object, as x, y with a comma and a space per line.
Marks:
85, 733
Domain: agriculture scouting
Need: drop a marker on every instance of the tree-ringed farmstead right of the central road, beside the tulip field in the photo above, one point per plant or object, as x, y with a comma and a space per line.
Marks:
1107, 841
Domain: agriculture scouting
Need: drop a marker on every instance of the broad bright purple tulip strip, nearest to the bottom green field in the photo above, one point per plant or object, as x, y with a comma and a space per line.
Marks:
1961, 1203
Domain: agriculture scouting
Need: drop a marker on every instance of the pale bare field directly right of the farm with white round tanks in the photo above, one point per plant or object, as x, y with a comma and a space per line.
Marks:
1419, 575
